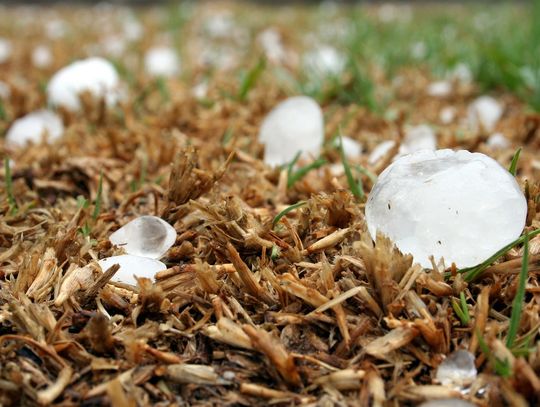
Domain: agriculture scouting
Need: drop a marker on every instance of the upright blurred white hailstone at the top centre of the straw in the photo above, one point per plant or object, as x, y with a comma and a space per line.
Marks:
295, 125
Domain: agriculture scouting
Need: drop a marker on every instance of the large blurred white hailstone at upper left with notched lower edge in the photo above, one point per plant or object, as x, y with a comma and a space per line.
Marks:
95, 75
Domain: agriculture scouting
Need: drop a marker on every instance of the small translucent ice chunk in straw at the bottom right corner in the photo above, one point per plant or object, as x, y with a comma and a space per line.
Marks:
457, 370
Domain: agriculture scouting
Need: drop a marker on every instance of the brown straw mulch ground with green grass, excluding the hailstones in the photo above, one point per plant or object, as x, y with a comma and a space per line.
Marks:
304, 310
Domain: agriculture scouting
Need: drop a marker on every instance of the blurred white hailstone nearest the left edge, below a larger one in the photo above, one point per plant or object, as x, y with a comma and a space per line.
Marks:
33, 126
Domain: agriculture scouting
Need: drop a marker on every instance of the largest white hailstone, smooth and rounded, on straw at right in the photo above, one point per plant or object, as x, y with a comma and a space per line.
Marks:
454, 204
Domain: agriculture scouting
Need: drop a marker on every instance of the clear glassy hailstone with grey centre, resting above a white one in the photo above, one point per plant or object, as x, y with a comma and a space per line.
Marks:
146, 236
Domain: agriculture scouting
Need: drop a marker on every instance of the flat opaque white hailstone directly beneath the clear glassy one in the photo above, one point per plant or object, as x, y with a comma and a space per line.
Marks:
131, 266
